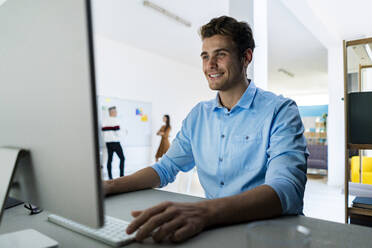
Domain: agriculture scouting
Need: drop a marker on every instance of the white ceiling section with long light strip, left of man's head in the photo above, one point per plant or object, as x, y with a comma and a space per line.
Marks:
131, 22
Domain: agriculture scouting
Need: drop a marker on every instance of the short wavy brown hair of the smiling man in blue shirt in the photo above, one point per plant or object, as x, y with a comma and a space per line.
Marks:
239, 32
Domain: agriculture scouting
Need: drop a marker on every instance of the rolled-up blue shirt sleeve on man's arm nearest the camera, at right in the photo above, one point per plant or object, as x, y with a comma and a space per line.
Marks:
287, 156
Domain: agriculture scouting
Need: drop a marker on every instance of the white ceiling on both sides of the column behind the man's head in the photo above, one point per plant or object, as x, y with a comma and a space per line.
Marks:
291, 46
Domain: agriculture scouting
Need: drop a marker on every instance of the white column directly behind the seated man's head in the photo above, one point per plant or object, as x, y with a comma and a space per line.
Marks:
254, 12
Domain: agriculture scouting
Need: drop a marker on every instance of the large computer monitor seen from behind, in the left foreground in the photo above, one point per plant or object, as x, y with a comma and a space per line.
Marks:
48, 105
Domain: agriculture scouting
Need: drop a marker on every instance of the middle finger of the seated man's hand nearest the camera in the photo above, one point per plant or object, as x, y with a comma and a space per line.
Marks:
155, 222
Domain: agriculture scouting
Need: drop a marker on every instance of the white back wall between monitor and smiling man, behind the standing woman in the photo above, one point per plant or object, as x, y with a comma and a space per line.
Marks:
130, 73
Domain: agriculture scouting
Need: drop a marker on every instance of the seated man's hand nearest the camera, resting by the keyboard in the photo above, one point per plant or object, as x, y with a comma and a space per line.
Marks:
169, 220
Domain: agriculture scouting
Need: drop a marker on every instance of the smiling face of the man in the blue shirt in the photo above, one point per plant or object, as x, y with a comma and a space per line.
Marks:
222, 66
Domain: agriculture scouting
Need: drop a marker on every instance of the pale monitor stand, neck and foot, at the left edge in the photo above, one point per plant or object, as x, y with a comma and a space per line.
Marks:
9, 158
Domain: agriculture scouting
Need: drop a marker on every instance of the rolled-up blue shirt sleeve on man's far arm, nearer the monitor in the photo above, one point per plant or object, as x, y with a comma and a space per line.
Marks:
179, 157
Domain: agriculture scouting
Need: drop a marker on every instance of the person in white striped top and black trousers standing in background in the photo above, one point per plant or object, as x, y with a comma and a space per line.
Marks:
111, 135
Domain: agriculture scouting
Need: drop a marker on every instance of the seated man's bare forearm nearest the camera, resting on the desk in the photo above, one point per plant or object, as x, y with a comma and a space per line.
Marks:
259, 203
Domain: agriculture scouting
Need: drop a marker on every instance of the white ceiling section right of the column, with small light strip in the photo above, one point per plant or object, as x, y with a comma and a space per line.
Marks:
293, 48
